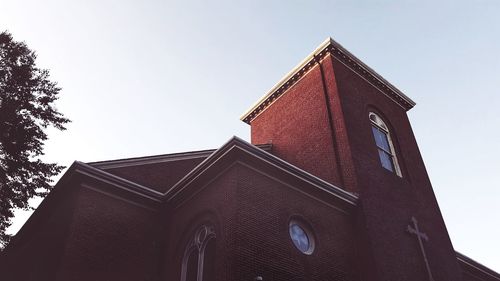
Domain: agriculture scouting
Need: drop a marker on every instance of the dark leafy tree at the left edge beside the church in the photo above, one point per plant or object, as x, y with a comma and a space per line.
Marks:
26, 109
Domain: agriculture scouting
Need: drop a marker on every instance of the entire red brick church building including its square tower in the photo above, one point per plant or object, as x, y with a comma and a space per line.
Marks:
333, 187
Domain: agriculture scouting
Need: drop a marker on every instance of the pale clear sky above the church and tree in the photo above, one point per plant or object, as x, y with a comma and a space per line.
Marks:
153, 77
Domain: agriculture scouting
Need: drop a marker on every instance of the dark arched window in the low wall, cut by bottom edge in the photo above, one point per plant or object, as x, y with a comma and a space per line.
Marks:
198, 262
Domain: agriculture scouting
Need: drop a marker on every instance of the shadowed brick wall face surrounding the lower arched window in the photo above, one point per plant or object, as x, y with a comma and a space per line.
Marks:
214, 204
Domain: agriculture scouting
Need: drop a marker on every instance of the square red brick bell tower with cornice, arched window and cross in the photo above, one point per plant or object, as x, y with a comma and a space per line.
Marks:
336, 118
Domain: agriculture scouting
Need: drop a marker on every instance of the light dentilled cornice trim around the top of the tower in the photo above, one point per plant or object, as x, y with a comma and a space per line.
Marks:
328, 47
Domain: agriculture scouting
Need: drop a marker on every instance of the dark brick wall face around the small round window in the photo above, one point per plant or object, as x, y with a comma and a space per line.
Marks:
265, 208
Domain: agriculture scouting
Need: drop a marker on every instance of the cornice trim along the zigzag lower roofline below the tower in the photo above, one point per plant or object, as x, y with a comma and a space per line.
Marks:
90, 177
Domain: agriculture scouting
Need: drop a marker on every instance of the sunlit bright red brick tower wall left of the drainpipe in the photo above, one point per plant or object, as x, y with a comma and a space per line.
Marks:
298, 127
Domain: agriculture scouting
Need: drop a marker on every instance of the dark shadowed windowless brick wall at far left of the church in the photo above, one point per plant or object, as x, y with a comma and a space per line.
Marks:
81, 234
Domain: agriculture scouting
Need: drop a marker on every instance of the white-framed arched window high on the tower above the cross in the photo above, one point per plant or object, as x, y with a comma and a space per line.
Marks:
386, 151
